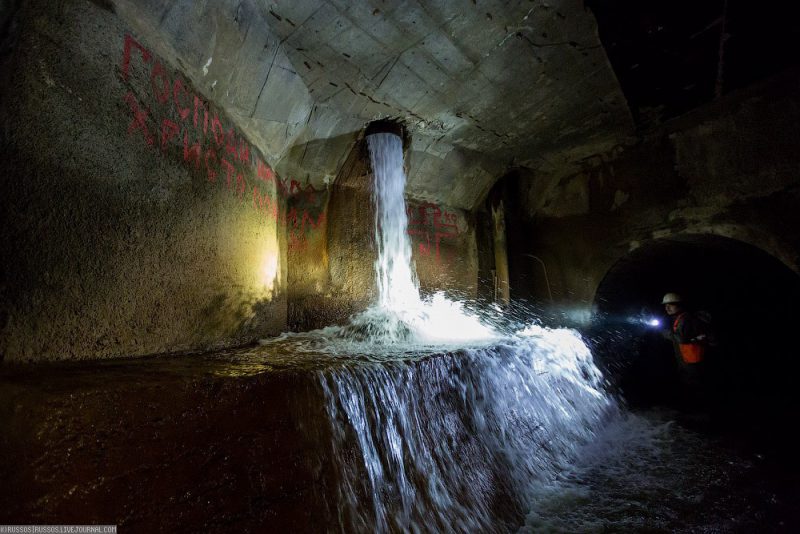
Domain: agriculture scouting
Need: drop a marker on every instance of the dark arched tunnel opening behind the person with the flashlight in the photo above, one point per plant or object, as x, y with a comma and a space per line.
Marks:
751, 299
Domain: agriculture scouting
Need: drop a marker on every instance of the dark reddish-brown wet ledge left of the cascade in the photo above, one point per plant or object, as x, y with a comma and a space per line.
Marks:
202, 443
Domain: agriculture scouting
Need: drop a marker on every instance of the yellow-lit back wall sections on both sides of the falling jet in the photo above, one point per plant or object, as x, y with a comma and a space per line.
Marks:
332, 266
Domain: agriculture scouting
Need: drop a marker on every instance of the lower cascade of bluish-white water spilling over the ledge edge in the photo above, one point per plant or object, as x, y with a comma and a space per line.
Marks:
463, 441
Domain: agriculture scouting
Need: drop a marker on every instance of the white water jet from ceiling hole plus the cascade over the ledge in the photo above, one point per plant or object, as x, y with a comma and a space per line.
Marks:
440, 422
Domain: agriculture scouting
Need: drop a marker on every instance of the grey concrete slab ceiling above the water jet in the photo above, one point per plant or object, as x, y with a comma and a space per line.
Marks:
483, 86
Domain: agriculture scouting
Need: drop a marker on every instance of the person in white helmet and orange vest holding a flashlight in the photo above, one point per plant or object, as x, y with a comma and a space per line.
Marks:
692, 336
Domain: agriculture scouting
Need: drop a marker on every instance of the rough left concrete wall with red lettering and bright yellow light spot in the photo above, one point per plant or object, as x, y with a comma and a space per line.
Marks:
137, 218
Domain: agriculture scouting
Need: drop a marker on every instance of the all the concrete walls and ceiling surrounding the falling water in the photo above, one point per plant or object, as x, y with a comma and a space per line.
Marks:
128, 232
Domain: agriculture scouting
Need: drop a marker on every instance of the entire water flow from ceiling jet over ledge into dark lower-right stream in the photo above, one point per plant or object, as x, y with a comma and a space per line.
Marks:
443, 421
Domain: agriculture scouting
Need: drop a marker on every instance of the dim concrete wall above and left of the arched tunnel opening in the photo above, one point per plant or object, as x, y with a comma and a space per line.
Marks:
730, 169
